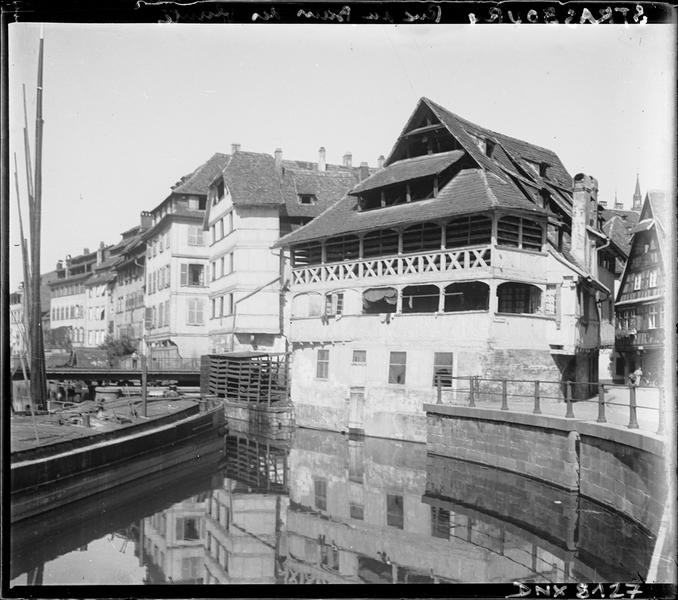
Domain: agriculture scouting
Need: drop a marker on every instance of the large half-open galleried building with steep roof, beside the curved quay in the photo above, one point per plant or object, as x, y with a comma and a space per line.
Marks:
470, 253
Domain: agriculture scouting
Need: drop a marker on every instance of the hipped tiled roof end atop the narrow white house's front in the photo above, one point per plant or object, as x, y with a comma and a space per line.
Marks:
252, 179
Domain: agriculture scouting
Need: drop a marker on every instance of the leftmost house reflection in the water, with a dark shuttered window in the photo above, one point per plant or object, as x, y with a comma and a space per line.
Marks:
174, 543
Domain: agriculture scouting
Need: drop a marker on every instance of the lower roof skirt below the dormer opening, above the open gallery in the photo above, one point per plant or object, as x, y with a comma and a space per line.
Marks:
472, 190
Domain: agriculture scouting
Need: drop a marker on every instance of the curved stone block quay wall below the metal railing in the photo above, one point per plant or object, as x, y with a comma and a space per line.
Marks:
621, 469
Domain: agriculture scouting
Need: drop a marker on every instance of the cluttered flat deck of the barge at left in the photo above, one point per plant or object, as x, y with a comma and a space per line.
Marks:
50, 431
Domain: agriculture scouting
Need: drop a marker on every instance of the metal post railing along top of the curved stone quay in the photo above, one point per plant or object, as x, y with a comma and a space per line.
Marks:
633, 406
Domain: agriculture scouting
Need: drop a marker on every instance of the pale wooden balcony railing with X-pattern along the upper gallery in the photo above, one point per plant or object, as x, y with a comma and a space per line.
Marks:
412, 264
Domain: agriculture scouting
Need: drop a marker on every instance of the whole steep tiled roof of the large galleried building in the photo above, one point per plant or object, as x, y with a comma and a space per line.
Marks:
508, 179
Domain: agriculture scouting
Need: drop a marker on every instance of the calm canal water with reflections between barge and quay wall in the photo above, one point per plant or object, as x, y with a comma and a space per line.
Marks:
322, 507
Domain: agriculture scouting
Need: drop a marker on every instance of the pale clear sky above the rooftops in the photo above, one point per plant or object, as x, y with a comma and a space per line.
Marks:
129, 109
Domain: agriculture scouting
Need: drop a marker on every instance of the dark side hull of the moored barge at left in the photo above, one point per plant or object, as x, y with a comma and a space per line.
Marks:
47, 482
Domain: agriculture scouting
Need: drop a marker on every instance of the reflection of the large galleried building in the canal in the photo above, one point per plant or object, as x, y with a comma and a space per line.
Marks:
370, 511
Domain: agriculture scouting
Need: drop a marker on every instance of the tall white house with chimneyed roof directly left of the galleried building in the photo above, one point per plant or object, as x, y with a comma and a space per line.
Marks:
252, 202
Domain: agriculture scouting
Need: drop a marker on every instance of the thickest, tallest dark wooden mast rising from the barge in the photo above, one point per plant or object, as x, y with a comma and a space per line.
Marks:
38, 375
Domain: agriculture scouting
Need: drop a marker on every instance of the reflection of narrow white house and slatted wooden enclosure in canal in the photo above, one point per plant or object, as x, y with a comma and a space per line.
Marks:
245, 516
